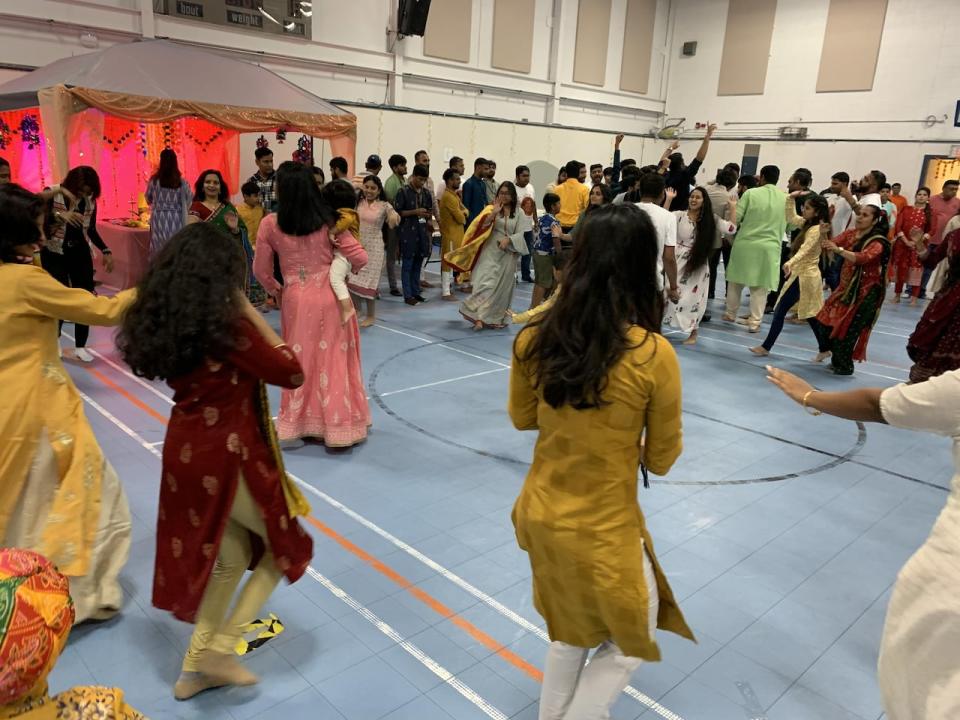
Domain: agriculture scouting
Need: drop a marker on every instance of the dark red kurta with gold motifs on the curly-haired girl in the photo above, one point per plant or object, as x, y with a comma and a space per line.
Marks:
220, 427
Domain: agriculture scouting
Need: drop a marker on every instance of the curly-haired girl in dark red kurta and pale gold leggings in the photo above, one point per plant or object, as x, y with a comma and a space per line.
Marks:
226, 503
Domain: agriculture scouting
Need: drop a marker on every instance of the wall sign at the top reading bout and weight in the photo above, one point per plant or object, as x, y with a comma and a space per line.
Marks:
278, 17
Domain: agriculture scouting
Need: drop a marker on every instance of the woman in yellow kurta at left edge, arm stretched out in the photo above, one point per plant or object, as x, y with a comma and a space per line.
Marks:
58, 495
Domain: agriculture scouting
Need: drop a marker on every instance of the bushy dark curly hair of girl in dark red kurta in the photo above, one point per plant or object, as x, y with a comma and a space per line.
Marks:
187, 306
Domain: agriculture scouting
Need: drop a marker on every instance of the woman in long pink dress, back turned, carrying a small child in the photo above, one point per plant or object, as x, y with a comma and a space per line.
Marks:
331, 405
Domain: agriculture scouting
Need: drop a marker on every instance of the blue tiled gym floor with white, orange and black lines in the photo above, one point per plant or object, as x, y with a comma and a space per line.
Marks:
781, 534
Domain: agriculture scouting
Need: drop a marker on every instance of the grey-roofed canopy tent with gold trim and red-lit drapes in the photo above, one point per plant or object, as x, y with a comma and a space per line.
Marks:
117, 108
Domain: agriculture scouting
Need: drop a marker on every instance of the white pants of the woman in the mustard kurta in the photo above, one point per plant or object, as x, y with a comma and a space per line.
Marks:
573, 692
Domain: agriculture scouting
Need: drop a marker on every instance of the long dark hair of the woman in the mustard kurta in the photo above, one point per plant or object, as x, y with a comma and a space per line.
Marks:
584, 335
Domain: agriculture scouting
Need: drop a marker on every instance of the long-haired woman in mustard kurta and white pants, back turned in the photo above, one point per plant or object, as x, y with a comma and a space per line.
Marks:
603, 389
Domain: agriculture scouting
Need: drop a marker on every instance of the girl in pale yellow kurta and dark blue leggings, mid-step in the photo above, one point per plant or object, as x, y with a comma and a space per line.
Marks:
804, 284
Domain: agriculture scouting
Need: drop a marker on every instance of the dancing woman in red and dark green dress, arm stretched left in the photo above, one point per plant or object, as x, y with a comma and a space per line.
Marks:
850, 313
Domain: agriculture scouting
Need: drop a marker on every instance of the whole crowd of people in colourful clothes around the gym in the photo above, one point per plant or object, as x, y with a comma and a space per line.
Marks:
614, 254
